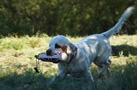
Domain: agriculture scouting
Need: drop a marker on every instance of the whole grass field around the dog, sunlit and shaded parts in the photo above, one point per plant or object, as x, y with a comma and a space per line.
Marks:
17, 62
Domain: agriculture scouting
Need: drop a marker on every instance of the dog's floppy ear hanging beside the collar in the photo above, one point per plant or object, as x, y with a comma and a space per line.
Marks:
71, 49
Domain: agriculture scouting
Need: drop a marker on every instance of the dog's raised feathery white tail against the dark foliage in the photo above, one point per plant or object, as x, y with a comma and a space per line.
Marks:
120, 23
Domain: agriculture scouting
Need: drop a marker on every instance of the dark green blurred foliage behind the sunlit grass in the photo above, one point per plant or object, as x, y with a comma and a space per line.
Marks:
68, 17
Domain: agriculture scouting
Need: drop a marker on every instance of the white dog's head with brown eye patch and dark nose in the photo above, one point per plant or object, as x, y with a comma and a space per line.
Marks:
61, 44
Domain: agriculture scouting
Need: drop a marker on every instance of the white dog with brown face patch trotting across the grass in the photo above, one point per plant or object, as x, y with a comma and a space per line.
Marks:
95, 48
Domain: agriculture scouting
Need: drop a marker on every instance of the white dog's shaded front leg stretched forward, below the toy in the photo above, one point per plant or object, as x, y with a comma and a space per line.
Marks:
60, 76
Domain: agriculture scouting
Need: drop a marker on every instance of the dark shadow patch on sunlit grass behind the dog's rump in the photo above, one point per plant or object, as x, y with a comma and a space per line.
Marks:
124, 50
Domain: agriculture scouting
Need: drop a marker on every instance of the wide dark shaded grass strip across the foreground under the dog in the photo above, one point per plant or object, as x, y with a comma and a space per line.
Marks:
122, 78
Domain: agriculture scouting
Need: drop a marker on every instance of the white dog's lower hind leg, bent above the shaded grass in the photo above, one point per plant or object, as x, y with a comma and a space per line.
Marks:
105, 67
